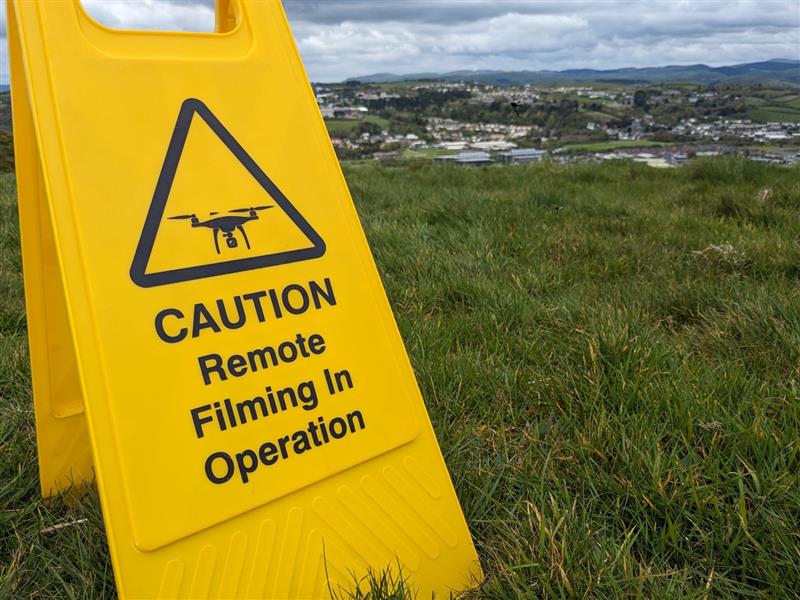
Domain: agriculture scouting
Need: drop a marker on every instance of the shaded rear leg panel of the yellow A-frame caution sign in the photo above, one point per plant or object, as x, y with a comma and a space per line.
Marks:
65, 457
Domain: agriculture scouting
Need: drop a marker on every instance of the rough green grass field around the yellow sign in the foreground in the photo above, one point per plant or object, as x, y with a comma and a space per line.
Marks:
610, 355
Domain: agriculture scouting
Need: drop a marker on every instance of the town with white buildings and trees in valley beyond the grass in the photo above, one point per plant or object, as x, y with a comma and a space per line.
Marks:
479, 123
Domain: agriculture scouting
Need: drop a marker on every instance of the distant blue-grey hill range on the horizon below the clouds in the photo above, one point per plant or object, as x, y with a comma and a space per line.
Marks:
783, 70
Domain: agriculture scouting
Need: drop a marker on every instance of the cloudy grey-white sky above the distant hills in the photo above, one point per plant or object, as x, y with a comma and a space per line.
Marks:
347, 38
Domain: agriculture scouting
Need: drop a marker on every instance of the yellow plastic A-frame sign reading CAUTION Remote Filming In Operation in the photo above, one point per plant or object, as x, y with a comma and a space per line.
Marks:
206, 316
